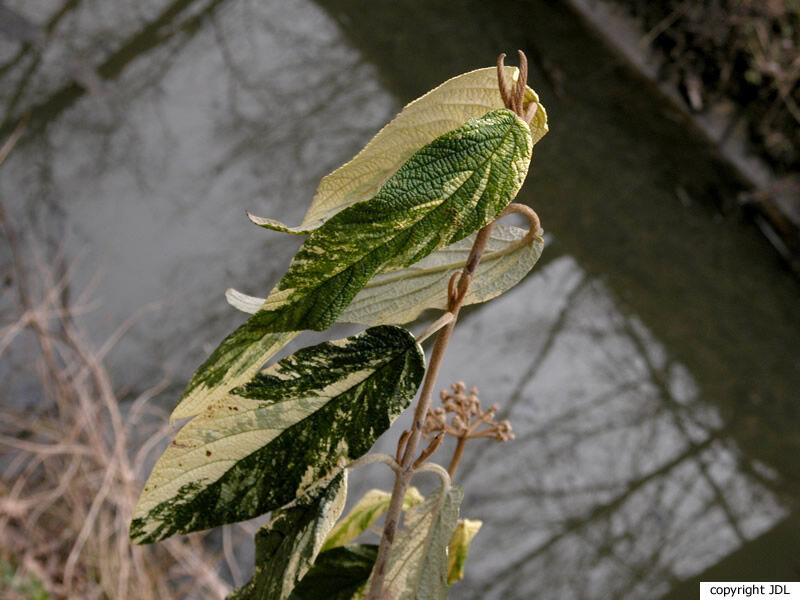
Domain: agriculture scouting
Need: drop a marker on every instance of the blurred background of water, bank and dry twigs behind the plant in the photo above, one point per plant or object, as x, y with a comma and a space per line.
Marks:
649, 364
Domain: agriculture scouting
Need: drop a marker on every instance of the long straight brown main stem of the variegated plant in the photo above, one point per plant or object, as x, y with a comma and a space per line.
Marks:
405, 472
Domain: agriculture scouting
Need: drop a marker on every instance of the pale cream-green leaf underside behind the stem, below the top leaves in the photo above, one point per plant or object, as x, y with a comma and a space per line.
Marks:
400, 295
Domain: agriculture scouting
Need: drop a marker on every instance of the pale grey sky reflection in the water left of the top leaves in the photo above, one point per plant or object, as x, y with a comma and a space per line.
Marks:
153, 179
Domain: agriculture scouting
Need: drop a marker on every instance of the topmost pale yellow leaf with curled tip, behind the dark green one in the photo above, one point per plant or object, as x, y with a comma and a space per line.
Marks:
446, 107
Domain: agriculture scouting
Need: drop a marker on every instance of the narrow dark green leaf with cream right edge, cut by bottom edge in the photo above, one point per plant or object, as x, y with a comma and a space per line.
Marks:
288, 545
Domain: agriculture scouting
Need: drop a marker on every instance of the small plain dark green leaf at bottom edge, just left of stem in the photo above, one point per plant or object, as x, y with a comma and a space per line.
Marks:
338, 574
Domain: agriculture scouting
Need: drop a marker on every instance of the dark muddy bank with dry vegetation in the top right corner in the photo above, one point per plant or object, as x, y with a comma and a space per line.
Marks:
733, 71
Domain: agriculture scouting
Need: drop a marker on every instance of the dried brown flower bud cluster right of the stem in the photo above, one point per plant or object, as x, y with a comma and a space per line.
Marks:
467, 416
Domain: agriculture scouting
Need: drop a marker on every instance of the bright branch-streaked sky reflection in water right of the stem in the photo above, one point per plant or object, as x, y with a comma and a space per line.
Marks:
620, 478
